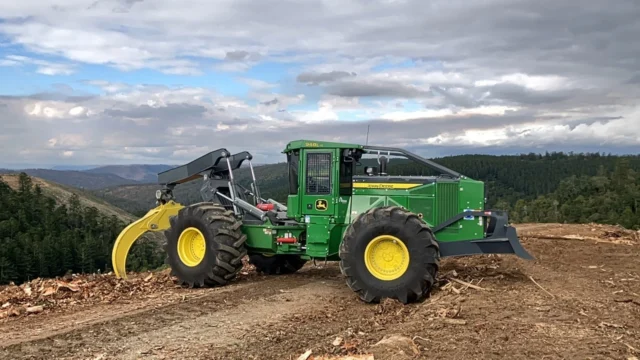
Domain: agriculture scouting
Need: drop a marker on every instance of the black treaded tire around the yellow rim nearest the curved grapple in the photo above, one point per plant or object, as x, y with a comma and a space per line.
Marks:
224, 249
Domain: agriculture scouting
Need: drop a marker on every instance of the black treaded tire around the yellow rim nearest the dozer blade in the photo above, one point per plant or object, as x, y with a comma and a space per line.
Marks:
424, 255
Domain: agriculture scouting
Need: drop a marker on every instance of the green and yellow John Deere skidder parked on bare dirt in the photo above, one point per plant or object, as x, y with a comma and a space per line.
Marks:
387, 232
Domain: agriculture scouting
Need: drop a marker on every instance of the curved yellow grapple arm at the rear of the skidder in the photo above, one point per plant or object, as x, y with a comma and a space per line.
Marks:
155, 220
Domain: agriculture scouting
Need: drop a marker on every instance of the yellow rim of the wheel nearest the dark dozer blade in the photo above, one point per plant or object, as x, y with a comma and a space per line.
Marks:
386, 257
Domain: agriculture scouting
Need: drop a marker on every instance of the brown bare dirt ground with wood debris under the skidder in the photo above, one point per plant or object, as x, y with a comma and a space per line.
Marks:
580, 298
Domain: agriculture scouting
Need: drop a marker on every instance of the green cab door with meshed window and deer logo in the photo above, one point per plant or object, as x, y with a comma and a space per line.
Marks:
319, 185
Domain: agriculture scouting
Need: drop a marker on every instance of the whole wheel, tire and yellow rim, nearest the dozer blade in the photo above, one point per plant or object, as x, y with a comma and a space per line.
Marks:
389, 252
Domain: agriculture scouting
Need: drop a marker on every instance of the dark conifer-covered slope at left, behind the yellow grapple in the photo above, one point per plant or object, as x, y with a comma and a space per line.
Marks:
41, 238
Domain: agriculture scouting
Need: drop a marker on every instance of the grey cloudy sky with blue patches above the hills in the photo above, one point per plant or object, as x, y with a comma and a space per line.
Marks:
163, 81
